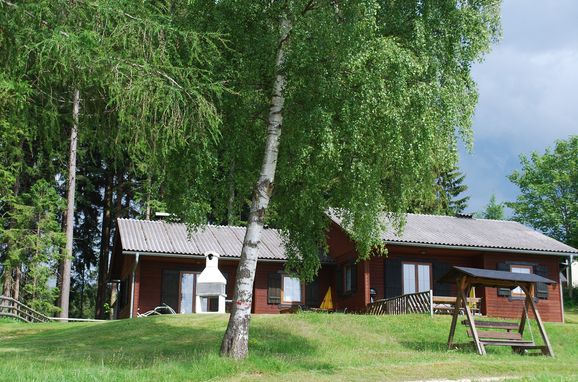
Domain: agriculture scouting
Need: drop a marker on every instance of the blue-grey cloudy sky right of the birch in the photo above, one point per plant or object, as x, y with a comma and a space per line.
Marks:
528, 95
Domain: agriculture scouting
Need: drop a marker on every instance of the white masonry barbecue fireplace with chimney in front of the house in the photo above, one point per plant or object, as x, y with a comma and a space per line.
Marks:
211, 287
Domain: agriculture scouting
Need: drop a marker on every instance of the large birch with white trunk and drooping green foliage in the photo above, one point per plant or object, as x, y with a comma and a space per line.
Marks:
356, 101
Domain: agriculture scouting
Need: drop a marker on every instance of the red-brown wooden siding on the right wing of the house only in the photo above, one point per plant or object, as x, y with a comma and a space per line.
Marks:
384, 274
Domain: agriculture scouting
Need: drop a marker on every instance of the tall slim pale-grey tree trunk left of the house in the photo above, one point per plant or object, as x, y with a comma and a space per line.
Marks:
67, 262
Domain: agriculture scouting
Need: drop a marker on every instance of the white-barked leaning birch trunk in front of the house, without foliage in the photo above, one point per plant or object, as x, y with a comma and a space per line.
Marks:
236, 340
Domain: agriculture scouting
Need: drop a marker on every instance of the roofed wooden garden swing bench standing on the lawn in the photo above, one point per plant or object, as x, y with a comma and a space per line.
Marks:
498, 333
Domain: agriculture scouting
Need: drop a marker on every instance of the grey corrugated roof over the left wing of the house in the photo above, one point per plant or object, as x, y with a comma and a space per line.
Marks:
173, 238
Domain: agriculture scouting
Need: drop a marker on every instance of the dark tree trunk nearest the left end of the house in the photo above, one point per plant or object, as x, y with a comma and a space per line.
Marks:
104, 247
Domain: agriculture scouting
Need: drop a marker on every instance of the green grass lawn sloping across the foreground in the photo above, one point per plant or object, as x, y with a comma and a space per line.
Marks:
302, 347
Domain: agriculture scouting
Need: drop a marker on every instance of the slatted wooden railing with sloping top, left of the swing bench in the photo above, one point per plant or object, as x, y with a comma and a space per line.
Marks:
404, 304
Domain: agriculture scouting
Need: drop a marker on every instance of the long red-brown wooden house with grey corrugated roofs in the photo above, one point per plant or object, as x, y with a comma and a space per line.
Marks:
153, 259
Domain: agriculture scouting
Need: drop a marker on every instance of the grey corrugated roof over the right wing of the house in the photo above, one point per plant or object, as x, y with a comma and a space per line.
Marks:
469, 232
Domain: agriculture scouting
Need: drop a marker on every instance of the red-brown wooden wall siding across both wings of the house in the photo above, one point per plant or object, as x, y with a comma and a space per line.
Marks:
382, 274
